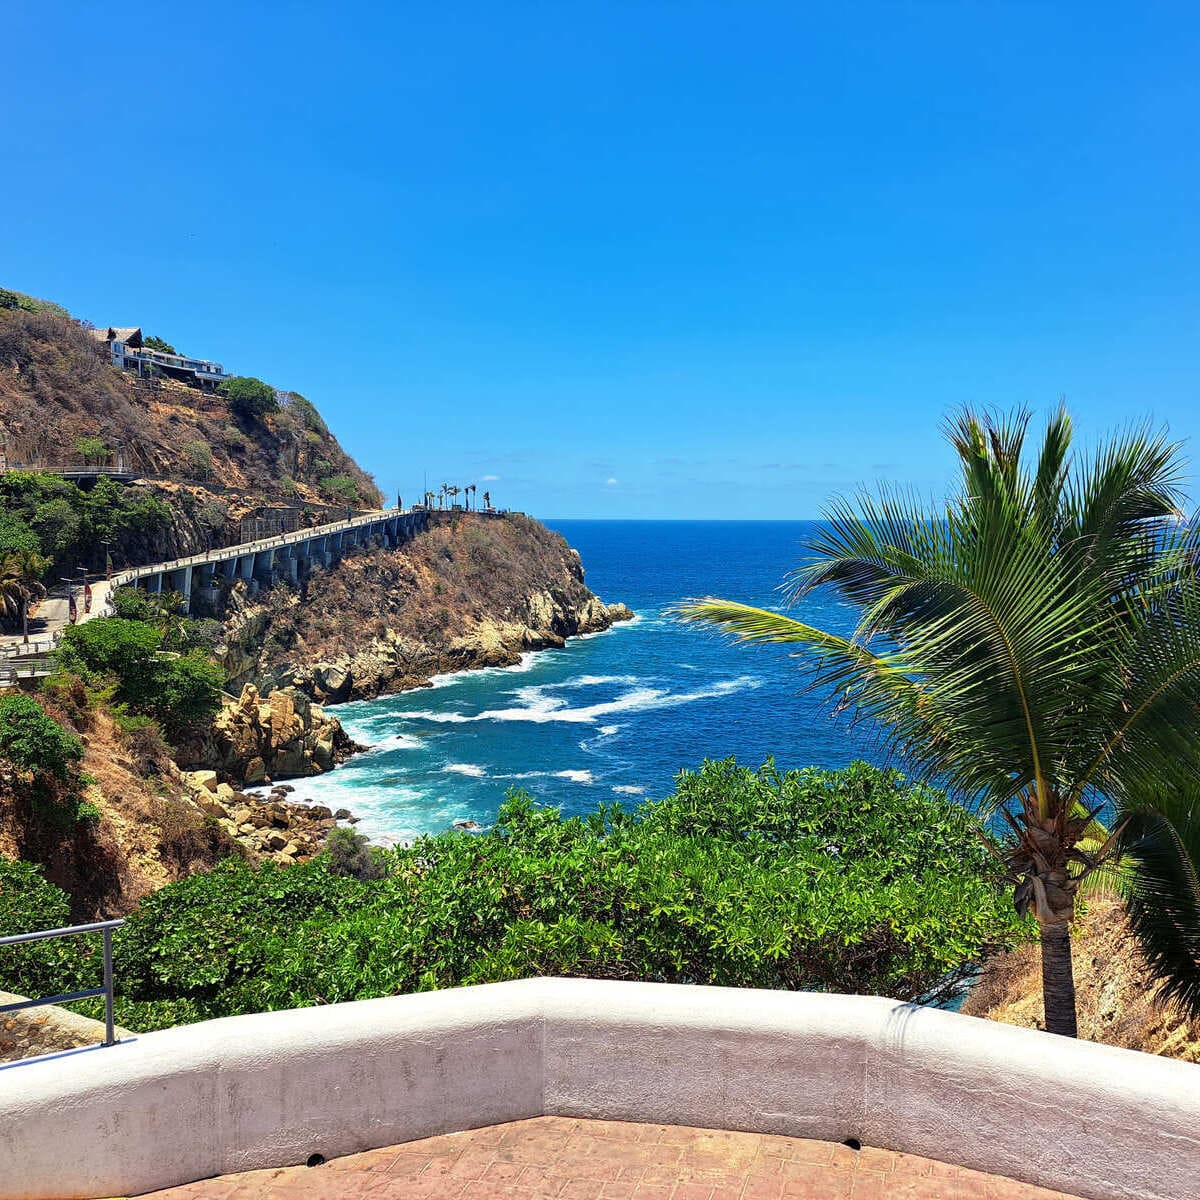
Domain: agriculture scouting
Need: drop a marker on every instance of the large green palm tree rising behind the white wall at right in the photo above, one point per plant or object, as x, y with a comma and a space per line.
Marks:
1035, 646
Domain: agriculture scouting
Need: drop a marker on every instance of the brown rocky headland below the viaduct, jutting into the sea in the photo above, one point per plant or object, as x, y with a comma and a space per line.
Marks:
471, 592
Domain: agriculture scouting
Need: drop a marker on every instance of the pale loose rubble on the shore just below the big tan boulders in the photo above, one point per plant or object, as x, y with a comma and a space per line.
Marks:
265, 829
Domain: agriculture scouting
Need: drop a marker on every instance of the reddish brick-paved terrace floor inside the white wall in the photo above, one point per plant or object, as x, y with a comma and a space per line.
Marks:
568, 1160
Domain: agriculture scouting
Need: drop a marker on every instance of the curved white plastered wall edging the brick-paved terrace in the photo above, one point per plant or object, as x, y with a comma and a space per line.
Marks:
273, 1089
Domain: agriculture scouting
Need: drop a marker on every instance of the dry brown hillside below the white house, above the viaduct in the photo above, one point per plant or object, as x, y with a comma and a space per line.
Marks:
56, 387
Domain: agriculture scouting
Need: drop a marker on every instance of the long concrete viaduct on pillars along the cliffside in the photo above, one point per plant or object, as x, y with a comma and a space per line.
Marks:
284, 559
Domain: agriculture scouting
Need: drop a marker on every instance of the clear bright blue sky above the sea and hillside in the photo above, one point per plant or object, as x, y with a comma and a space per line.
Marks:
632, 260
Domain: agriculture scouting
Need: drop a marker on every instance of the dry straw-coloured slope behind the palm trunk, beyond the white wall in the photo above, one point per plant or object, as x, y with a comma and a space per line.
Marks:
1115, 989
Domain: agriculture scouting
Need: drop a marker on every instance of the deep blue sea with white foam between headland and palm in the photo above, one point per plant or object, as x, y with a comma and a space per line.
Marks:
615, 715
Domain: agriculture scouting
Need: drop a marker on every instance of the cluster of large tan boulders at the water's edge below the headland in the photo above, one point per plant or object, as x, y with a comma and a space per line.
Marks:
256, 740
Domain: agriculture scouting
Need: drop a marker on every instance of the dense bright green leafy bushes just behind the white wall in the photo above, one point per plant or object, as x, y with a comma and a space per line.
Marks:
850, 881
